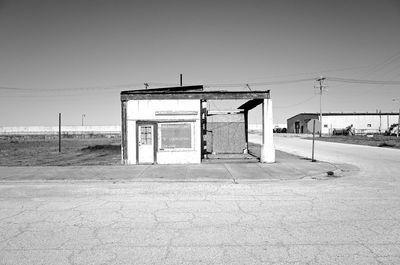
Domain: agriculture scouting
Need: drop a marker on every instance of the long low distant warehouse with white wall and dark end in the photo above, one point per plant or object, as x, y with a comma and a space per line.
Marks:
362, 122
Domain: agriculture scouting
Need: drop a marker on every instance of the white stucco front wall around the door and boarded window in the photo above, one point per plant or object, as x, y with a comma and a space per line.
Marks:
162, 111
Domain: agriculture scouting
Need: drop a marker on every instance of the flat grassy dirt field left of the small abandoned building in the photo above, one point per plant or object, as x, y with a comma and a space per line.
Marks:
75, 151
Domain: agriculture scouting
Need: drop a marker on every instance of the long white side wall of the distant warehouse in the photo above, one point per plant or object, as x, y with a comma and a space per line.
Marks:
360, 122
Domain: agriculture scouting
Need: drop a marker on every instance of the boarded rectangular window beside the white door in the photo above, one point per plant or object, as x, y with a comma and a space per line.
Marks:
175, 136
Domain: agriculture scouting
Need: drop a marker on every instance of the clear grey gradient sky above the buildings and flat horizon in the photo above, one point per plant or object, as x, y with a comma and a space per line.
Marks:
74, 57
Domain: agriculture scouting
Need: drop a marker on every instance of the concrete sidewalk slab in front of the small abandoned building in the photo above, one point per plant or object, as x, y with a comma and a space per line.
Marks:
287, 167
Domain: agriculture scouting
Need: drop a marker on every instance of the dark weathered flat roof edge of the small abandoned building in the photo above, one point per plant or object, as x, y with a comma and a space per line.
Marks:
190, 92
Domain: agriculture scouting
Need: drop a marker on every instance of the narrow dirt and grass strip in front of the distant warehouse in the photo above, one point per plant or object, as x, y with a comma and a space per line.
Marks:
376, 140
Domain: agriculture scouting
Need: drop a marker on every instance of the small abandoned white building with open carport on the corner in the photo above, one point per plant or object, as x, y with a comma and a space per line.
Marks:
173, 125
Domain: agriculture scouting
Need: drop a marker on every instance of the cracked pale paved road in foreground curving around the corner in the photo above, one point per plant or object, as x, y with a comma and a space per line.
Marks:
350, 220
